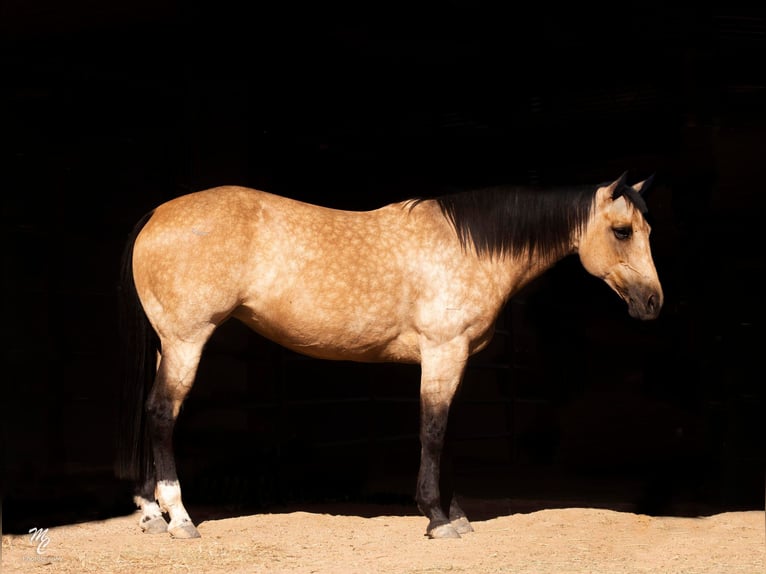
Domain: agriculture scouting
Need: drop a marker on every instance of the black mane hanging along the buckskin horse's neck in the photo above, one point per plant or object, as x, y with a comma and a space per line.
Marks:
519, 221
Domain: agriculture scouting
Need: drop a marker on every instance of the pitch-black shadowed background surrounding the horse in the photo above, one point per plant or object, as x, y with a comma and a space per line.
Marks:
109, 108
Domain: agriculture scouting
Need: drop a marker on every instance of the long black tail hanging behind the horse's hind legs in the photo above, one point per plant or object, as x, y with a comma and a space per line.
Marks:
140, 345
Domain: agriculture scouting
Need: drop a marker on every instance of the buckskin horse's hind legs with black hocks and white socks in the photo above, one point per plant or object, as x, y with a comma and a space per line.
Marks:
175, 376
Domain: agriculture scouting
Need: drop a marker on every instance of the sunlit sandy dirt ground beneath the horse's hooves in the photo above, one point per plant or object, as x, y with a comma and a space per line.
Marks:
347, 539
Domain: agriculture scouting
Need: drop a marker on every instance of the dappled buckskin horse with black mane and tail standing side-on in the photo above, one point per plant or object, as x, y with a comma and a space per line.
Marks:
420, 281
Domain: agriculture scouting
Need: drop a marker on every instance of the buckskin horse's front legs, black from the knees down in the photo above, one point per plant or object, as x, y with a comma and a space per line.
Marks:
442, 372
